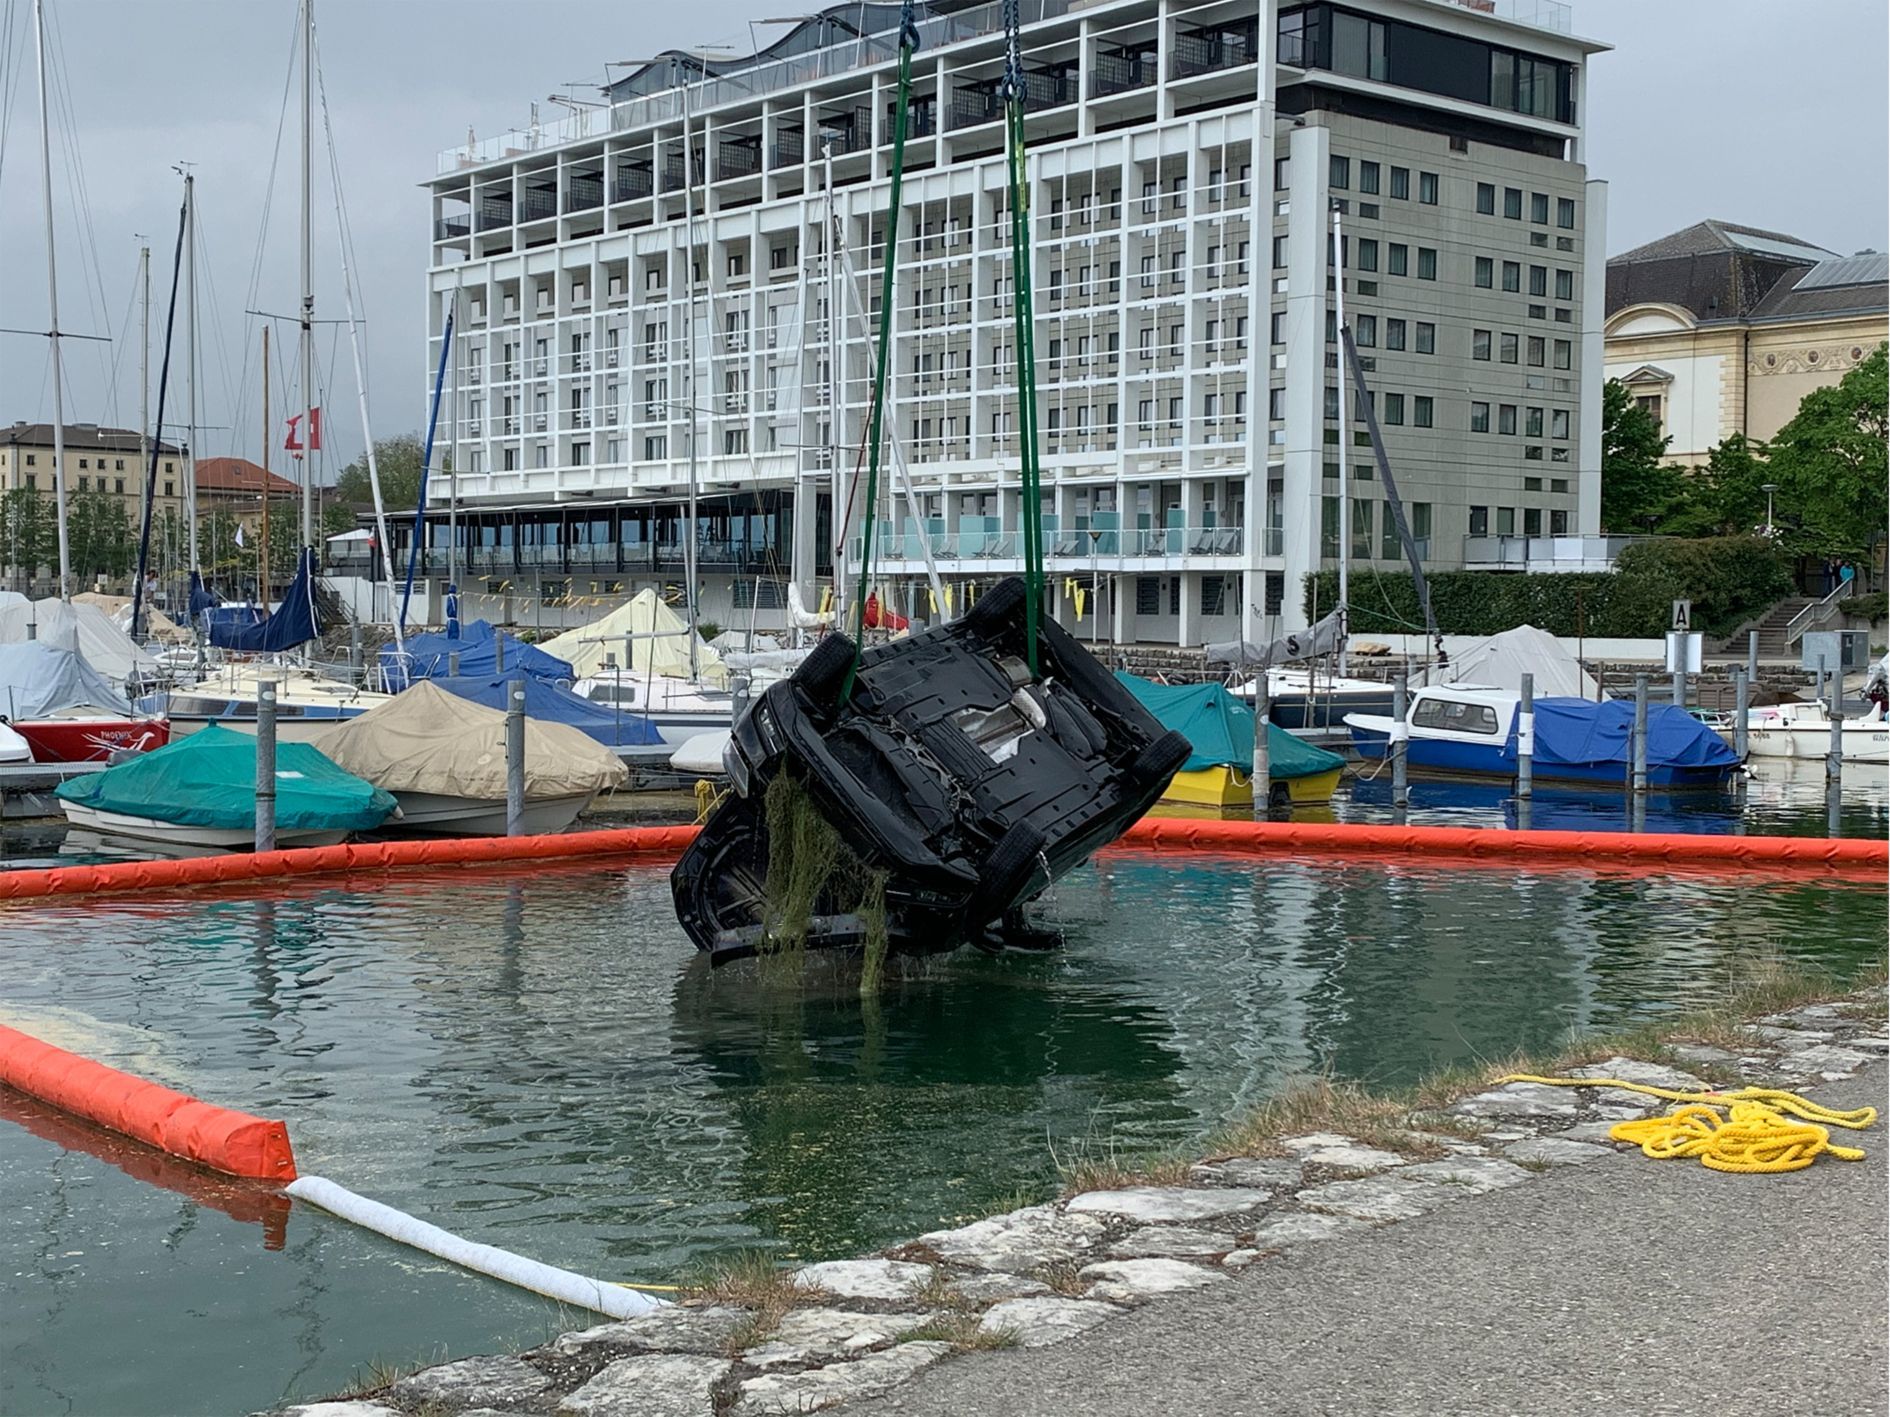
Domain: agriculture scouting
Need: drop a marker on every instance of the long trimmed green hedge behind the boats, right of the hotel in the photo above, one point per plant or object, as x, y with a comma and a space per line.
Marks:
1728, 579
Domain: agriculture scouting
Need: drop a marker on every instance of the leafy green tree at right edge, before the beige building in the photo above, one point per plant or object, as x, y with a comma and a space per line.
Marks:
1830, 466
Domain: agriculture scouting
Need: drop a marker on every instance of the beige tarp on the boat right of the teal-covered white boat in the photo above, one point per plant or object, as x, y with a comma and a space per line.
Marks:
428, 740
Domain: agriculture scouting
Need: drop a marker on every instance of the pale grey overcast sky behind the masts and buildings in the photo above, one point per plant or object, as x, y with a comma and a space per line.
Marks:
1706, 109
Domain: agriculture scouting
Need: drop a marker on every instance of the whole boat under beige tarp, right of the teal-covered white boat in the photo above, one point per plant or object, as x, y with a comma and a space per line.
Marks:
443, 759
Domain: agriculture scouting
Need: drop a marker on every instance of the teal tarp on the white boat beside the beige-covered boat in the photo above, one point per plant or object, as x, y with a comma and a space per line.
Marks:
209, 779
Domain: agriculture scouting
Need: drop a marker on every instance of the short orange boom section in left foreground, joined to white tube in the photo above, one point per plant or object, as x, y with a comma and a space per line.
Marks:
235, 1144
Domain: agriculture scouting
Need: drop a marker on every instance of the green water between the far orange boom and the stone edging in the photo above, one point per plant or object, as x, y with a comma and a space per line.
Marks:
538, 1061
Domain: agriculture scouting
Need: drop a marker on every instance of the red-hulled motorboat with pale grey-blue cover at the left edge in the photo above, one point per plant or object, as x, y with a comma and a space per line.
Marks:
65, 709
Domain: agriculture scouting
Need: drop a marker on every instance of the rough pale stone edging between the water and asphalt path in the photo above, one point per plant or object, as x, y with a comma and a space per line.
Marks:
1048, 1274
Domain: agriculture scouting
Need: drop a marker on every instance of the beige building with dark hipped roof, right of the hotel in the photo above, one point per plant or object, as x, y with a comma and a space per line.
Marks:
1723, 330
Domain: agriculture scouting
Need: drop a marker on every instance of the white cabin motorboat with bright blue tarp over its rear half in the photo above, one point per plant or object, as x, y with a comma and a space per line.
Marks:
1473, 732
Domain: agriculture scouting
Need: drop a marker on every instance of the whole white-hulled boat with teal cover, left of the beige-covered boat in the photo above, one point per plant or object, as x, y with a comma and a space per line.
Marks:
201, 793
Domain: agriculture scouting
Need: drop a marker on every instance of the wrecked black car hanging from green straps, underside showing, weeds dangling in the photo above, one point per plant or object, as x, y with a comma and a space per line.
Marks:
929, 804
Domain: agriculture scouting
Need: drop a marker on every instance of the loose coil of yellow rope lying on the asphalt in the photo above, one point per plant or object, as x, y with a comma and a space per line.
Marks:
1755, 1136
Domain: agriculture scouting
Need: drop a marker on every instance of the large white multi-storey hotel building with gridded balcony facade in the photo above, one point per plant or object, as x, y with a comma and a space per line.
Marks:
642, 301
